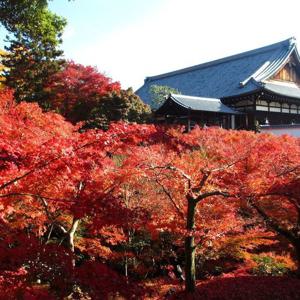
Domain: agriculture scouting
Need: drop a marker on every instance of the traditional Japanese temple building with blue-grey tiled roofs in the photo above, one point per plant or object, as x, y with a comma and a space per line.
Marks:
260, 87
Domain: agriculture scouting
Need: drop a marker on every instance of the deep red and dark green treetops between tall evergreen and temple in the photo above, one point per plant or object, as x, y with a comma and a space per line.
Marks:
82, 93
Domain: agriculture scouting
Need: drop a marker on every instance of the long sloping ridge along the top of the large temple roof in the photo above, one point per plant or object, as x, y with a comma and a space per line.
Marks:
288, 42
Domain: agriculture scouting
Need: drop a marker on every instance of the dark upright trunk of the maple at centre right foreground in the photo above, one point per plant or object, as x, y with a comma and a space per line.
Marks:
190, 266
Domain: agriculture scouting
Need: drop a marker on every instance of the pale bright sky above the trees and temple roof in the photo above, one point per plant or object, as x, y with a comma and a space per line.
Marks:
131, 39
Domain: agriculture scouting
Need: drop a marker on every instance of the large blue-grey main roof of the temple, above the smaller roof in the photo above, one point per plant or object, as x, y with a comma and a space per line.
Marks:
229, 76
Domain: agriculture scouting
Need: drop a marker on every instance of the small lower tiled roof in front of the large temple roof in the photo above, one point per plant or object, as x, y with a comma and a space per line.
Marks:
200, 104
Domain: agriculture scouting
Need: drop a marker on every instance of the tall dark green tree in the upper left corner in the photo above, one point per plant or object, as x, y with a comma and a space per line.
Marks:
34, 55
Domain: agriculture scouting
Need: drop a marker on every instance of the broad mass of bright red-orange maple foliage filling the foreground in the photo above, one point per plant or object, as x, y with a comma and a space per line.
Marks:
94, 213
